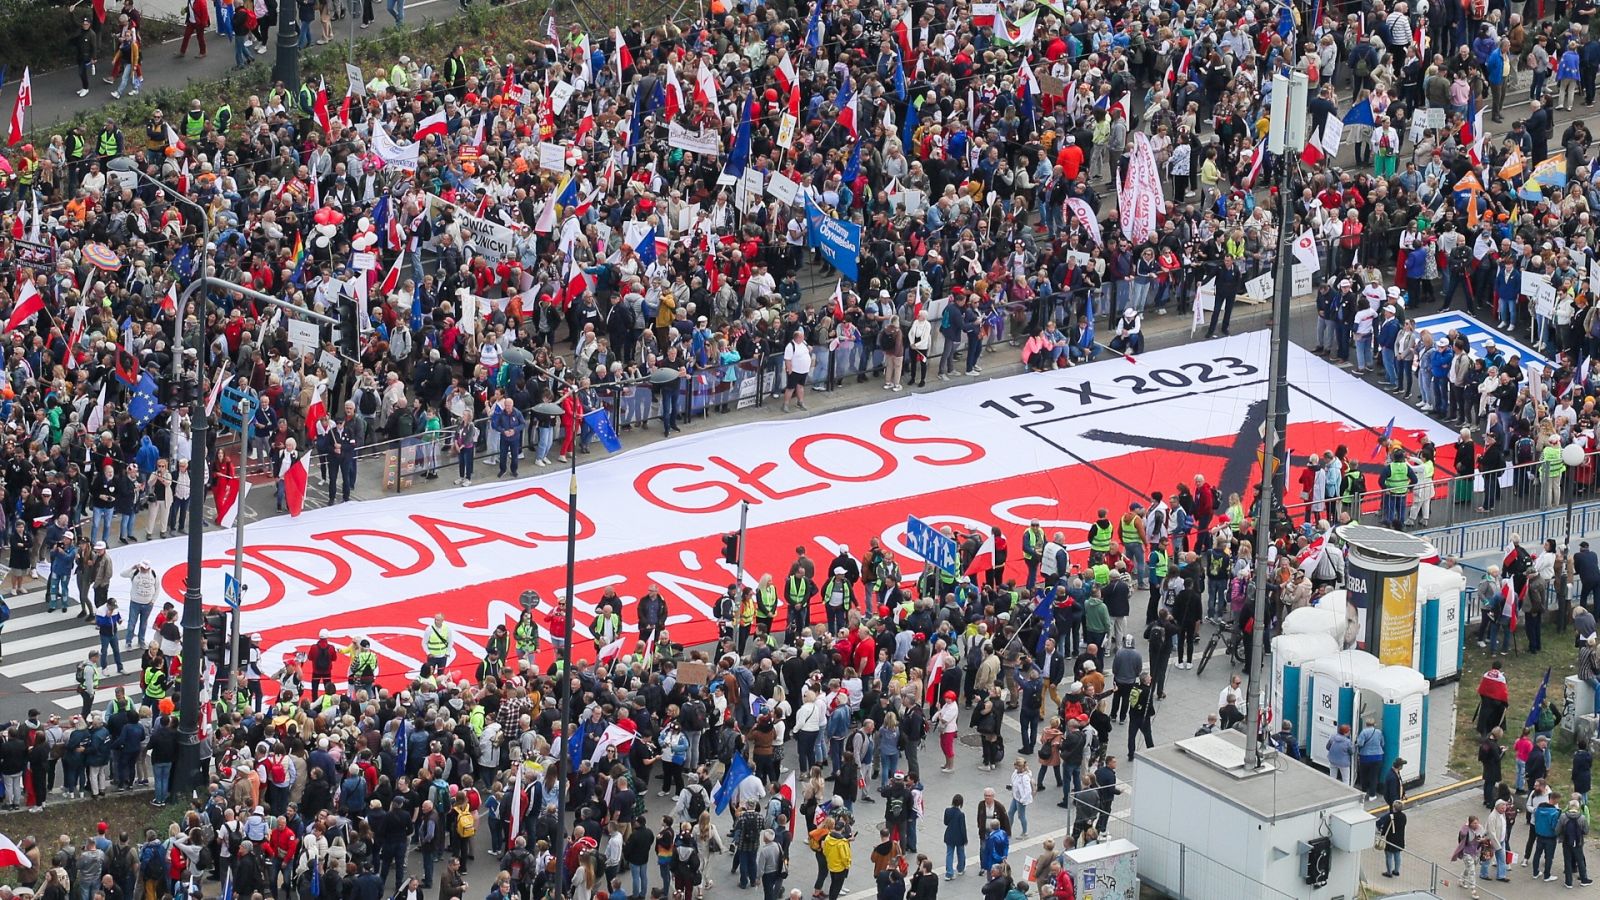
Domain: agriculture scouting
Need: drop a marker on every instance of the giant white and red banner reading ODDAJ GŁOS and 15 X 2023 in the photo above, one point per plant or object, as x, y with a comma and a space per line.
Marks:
1052, 448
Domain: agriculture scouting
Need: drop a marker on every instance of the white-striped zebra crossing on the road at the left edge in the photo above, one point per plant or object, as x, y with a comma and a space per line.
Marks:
41, 653
